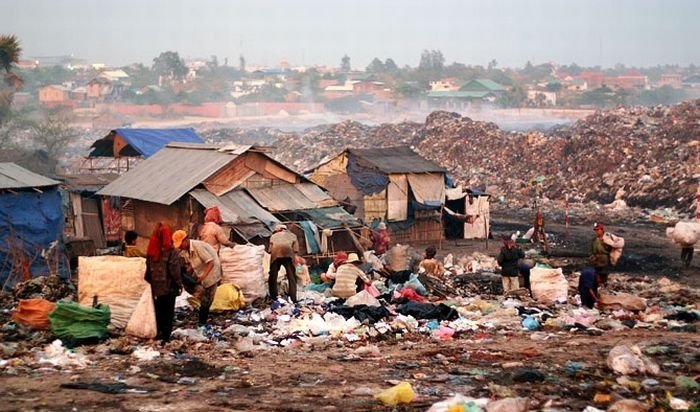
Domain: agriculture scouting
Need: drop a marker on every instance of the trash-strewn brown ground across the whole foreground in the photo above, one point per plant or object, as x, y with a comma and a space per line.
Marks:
472, 350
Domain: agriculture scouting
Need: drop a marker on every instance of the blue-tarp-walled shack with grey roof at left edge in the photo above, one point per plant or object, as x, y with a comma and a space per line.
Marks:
31, 225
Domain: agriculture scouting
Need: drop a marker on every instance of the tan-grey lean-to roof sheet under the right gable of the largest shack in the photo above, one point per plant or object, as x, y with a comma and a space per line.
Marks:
287, 197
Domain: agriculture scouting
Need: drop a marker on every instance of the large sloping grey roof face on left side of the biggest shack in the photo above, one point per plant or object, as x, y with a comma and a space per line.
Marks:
168, 175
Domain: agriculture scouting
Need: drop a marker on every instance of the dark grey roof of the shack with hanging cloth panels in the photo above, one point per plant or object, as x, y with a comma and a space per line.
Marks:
400, 159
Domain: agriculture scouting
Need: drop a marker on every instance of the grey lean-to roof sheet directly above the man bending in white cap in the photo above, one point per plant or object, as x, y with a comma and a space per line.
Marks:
236, 207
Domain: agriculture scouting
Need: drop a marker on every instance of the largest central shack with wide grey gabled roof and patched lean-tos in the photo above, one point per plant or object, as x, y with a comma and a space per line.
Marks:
176, 184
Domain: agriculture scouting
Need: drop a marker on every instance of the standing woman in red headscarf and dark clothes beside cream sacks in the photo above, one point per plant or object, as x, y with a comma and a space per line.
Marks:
163, 272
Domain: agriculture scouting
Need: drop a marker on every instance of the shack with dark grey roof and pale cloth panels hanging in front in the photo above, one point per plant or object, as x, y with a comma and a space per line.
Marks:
392, 184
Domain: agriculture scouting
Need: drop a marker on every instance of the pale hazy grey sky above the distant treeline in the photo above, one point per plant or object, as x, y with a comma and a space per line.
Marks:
588, 32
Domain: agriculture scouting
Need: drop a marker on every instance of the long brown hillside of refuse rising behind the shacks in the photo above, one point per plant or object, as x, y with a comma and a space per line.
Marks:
645, 156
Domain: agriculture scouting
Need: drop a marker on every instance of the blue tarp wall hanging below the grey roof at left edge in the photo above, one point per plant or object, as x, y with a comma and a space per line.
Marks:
33, 220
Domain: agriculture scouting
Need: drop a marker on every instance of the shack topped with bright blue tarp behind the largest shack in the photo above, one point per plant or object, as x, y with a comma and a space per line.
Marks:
123, 148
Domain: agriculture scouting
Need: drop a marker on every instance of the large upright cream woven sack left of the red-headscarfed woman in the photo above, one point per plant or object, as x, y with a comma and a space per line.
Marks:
117, 281
